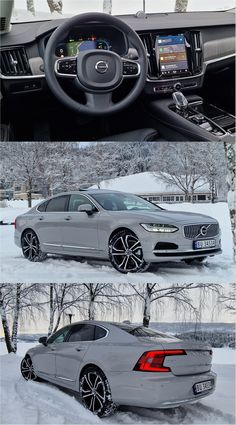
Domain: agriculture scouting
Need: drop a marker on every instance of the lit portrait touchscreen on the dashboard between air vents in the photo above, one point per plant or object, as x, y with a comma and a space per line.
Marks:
171, 54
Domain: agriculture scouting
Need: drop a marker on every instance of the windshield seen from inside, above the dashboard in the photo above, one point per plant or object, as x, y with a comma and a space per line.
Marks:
39, 10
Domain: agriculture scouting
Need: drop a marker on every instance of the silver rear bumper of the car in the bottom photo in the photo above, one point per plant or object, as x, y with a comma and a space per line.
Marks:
145, 389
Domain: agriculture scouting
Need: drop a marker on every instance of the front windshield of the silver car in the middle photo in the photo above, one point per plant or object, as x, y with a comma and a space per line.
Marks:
124, 202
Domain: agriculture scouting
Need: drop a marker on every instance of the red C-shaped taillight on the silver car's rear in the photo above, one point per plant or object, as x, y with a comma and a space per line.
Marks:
152, 361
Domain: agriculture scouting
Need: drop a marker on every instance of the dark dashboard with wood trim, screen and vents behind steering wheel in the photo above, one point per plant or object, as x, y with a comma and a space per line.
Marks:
180, 48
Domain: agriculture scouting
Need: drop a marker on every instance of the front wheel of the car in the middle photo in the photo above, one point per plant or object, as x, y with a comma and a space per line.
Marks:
126, 254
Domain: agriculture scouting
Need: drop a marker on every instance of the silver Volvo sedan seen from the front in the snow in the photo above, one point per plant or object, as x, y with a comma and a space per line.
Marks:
124, 228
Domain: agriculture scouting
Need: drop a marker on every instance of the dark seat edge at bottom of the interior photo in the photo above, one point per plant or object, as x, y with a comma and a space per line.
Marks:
140, 135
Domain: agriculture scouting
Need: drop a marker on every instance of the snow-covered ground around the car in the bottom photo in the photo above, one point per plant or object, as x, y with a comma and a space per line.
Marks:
40, 403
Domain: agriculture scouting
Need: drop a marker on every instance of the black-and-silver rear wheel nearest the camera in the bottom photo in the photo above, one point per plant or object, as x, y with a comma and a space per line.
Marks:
95, 392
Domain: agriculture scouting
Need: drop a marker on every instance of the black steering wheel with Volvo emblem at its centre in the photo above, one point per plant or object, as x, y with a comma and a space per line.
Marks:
96, 72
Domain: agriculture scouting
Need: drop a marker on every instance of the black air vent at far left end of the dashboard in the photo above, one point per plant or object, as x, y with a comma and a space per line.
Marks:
14, 62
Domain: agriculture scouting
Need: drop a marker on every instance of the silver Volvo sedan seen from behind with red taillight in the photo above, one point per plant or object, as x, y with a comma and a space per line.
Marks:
111, 364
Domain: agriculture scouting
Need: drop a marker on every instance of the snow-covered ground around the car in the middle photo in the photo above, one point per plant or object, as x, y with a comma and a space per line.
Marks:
15, 268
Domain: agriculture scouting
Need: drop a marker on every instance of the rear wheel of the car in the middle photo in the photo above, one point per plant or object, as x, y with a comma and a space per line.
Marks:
31, 247
